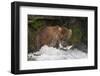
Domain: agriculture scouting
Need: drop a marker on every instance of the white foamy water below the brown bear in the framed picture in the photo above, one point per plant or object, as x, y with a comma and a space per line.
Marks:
50, 53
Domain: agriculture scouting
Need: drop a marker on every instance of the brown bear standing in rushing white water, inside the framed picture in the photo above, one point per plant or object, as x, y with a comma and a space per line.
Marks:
52, 36
